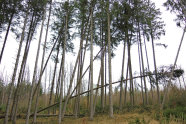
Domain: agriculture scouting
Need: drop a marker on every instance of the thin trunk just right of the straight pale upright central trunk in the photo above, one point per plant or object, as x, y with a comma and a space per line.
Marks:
121, 84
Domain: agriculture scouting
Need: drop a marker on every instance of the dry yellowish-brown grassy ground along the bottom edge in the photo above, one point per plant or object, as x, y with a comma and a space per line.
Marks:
127, 118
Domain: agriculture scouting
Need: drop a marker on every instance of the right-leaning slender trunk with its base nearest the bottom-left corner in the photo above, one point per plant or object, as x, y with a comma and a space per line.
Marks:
15, 68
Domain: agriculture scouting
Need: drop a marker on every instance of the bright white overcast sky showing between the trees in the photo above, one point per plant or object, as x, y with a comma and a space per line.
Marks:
164, 56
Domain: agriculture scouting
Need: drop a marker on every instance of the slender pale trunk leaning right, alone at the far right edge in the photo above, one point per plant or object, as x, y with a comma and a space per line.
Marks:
172, 71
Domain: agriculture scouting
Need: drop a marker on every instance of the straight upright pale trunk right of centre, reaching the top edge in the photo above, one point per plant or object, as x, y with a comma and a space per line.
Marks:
109, 64
